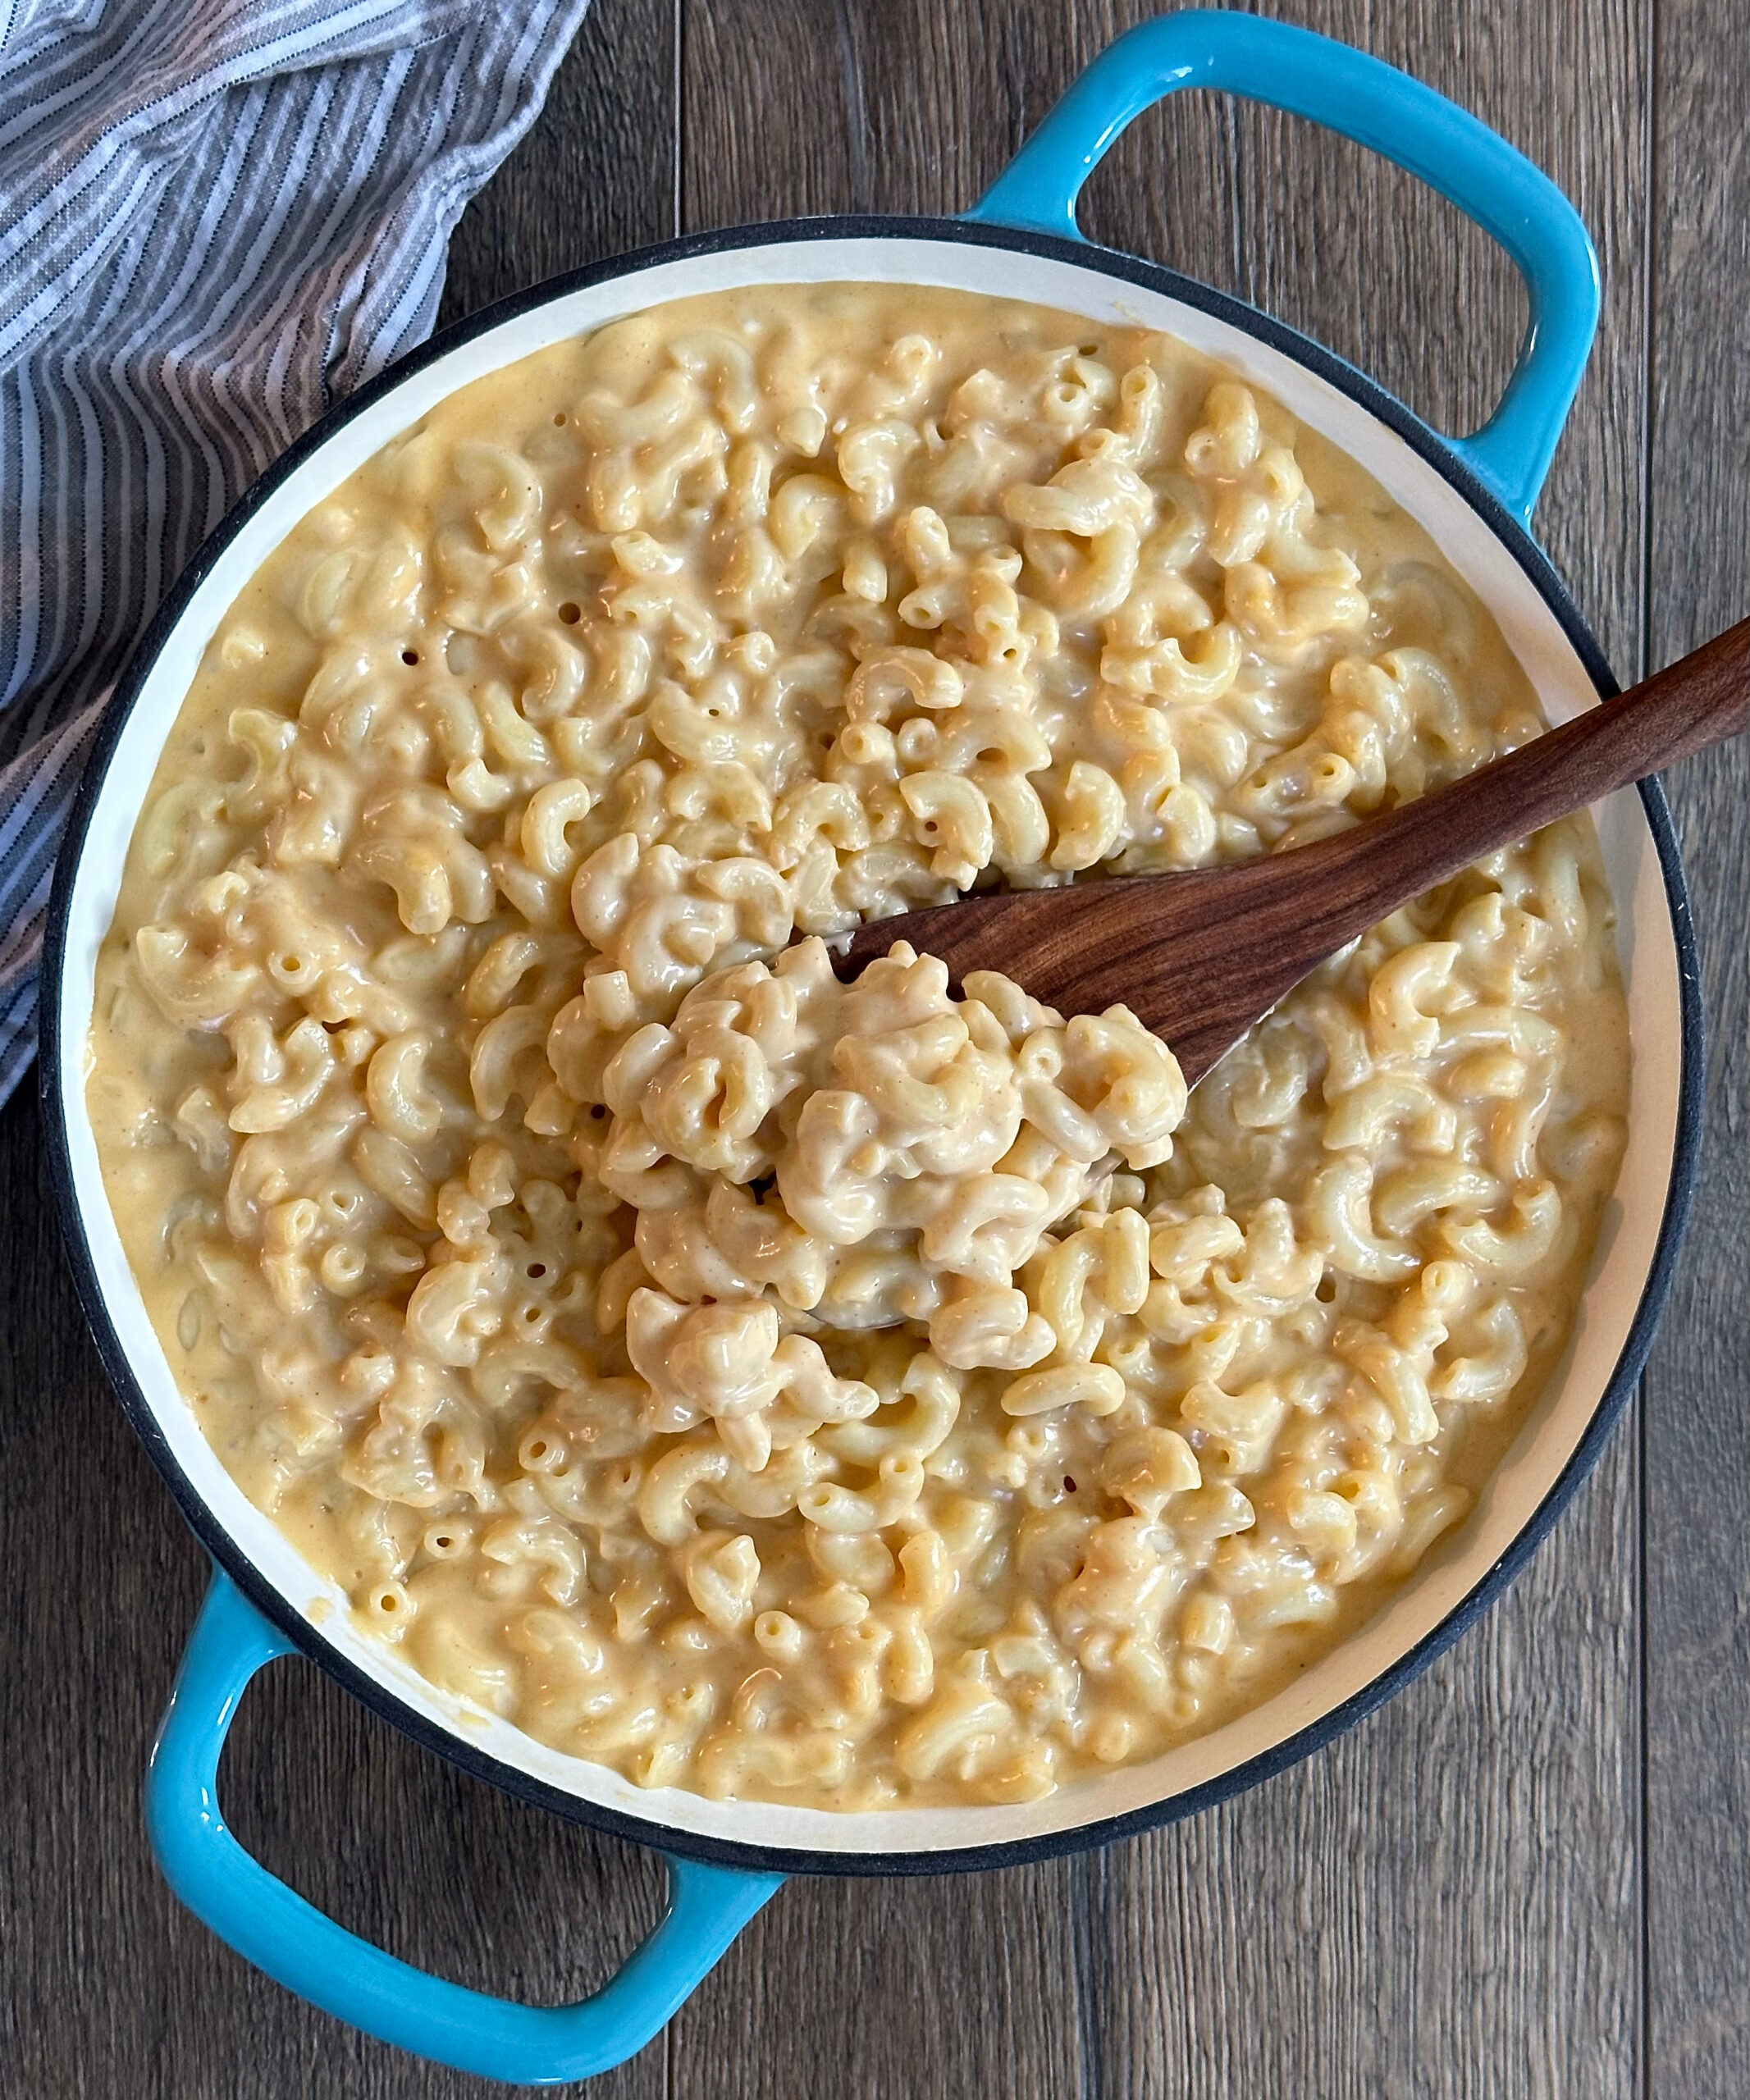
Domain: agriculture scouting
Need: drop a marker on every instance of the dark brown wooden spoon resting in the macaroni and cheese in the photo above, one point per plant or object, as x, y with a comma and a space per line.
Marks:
1201, 957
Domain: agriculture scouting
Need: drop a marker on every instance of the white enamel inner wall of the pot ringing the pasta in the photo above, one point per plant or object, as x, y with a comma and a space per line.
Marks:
1627, 1244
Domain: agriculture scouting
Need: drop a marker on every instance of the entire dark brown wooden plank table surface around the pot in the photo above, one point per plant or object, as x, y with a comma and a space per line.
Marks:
1530, 1874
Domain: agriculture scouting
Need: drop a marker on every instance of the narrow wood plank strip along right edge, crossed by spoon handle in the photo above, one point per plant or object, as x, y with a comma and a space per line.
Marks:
1699, 1389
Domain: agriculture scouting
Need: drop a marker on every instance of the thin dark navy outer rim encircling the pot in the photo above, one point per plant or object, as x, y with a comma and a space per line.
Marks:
785, 1860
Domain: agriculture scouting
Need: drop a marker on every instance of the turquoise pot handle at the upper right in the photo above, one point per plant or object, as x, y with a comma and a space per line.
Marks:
1373, 104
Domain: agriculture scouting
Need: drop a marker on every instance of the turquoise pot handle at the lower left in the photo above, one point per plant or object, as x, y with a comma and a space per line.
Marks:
283, 1935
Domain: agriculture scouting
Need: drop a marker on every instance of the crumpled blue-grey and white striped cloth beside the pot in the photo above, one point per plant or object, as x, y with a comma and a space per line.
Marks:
213, 224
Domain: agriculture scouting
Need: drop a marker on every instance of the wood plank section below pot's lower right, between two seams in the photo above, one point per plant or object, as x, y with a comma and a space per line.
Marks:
1434, 1906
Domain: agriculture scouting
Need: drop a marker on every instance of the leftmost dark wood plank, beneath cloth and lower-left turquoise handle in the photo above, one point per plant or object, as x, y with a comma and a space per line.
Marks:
110, 1988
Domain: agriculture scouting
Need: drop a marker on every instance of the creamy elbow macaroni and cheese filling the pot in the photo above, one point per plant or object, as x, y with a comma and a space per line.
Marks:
841, 1393
